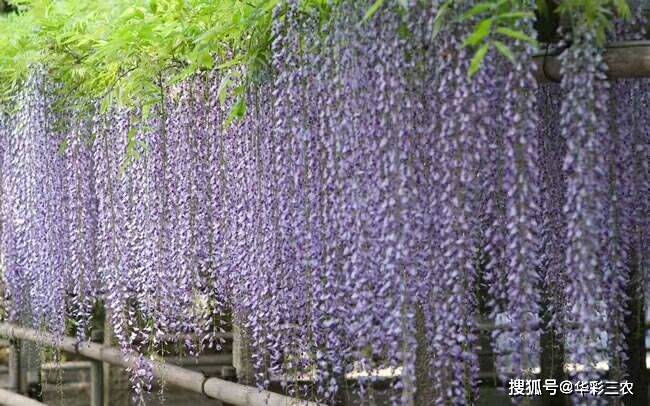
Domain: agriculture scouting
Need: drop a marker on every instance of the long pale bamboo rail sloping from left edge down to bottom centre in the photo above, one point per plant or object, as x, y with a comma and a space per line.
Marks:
228, 392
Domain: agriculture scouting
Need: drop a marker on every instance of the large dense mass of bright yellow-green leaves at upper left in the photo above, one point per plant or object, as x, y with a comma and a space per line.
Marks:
117, 50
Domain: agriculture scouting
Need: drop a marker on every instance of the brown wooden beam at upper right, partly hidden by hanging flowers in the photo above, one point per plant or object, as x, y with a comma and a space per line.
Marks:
630, 59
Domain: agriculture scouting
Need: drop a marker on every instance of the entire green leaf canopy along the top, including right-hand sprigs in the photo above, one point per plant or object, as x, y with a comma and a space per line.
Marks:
119, 51
